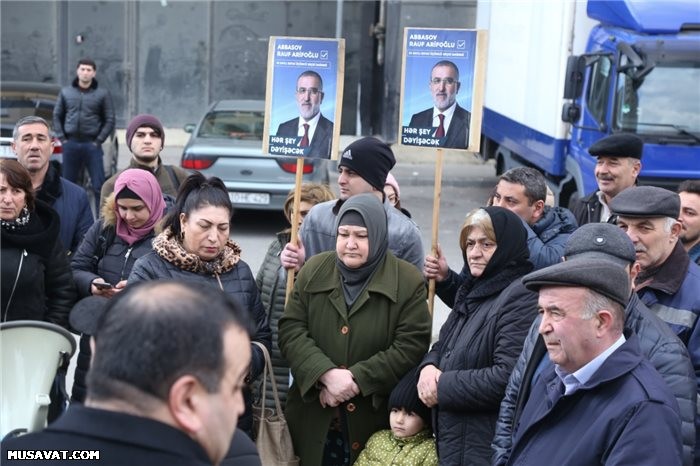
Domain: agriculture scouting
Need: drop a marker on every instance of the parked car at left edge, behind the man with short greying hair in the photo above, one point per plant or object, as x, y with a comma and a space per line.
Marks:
19, 99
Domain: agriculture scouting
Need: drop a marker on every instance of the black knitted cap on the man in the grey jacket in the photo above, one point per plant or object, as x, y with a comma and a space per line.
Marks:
371, 159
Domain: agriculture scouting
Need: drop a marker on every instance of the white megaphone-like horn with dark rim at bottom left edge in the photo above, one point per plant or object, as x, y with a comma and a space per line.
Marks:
31, 353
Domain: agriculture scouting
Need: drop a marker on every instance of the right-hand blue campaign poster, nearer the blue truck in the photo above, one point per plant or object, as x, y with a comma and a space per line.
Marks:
442, 86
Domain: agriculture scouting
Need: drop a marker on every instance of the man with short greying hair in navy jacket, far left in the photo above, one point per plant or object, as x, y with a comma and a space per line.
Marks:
33, 147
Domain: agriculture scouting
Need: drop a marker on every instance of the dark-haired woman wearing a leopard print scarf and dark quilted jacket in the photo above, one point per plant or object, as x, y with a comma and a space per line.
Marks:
195, 247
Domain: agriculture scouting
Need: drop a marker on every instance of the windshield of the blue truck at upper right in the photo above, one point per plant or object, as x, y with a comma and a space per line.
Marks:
650, 106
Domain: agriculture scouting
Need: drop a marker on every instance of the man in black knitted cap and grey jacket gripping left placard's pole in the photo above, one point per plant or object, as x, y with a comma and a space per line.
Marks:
362, 169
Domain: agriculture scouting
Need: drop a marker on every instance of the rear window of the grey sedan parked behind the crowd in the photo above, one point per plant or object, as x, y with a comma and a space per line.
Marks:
232, 124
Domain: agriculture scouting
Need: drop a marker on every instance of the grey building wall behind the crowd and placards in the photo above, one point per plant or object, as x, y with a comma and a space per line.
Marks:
172, 58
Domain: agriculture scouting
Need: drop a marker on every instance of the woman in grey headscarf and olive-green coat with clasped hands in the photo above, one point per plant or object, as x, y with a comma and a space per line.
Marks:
355, 324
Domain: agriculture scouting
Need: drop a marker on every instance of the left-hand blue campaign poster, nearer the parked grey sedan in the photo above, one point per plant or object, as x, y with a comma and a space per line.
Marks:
304, 97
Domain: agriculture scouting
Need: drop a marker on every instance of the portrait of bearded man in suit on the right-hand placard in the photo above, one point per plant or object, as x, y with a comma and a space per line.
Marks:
449, 121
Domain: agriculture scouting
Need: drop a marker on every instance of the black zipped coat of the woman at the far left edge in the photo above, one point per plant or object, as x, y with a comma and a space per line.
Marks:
36, 280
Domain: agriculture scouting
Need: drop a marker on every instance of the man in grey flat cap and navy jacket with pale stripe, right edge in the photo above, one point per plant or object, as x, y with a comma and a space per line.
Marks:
668, 282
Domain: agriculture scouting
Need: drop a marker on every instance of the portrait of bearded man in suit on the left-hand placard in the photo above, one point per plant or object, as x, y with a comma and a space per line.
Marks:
315, 130
